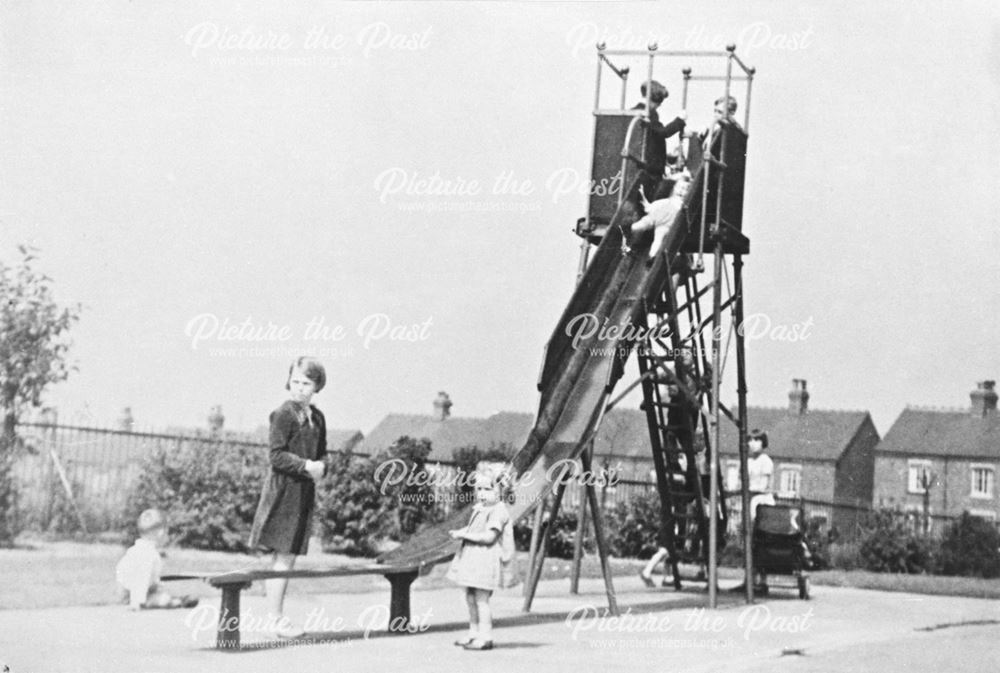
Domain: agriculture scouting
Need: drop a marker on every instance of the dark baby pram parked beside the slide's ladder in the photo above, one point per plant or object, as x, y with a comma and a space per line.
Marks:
779, 546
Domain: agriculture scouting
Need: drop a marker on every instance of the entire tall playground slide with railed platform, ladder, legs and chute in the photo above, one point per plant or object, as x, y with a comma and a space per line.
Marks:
681, 331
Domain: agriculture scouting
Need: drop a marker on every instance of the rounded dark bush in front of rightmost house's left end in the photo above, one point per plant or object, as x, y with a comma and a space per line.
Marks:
888, 544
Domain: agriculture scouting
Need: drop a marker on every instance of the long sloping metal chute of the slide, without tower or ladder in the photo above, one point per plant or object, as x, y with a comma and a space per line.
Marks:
577, 377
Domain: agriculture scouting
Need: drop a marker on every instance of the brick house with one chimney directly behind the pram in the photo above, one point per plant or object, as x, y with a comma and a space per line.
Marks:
823, 459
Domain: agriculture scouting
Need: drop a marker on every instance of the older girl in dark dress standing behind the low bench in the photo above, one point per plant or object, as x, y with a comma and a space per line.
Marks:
297, 447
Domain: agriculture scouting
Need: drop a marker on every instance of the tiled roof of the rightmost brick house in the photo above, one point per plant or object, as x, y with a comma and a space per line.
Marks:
940, 433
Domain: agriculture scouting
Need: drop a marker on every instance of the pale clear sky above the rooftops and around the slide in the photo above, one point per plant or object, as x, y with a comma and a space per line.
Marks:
393, 186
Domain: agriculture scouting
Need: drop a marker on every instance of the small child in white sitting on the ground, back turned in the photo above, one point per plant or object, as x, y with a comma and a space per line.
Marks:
138, 572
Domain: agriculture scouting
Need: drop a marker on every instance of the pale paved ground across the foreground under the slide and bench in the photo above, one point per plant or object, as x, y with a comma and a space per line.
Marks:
840, 629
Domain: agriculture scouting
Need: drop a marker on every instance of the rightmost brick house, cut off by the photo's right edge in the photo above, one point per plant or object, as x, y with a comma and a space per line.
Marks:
939, 463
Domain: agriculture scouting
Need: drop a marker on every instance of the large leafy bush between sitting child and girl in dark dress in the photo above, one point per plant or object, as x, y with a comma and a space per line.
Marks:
208, 490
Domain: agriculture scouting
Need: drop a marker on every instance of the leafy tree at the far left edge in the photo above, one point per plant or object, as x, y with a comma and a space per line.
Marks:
33, 355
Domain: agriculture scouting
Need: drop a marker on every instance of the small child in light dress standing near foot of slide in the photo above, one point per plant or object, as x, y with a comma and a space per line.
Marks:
487, 543
